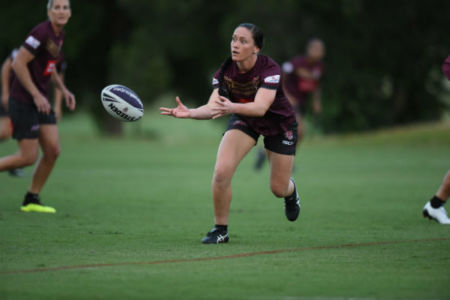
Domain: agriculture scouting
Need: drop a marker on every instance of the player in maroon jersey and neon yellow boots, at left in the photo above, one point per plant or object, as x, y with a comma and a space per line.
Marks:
33, 119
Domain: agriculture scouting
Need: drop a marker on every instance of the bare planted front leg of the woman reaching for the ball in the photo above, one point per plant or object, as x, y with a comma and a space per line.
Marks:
233, 148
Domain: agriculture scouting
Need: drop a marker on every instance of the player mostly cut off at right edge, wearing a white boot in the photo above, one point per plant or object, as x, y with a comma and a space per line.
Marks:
434, 209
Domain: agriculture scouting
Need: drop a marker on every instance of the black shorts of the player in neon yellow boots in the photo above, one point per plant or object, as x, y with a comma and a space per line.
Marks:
26, 119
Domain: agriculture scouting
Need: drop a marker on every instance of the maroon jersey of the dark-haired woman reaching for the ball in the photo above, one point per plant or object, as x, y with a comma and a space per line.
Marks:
243, 87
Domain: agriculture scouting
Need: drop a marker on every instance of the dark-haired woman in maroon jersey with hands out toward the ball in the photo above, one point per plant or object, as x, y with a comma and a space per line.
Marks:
247, 87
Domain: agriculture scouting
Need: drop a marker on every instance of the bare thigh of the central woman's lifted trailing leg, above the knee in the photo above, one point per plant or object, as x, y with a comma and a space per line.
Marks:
280, 168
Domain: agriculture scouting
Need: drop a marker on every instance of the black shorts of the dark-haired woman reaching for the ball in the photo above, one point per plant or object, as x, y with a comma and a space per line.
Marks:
285, 143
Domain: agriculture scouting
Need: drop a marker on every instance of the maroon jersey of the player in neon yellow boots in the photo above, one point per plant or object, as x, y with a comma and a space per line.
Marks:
43, 43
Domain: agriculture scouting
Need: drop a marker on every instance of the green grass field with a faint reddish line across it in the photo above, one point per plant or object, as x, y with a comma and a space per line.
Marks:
131, 213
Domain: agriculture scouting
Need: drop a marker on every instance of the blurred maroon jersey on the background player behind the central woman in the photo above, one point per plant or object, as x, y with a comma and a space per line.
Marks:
297, 86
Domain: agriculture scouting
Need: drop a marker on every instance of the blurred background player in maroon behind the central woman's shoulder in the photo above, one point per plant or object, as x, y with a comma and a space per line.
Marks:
301, 79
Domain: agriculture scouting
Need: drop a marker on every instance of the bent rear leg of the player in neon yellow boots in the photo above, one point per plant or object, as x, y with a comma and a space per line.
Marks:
27, 155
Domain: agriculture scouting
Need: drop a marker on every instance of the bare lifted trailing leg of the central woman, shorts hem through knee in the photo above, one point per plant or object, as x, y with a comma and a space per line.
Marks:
280, 174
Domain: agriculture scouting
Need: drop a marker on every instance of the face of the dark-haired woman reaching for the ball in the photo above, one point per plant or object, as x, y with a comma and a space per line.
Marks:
242, 44
